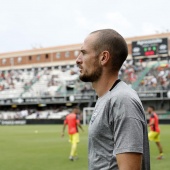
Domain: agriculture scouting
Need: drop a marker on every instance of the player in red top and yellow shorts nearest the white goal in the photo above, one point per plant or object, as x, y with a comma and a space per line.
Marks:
73, 122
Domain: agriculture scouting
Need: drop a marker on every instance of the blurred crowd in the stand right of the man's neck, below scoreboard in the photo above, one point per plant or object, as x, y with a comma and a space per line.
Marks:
151, 76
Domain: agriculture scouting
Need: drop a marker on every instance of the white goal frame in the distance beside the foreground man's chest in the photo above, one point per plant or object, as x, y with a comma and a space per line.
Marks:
87, 113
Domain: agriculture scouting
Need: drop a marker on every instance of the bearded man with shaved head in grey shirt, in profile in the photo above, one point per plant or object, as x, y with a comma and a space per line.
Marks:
118, 136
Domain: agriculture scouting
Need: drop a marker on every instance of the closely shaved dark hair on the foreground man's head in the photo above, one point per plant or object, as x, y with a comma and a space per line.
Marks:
114, 43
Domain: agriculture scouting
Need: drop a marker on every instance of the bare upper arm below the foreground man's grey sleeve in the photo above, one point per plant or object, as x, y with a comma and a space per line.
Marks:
129, 161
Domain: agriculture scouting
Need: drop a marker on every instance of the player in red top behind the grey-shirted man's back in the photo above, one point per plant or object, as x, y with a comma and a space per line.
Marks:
154, 134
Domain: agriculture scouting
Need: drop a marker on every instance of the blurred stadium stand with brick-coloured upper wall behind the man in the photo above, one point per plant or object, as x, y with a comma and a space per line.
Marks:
44, 80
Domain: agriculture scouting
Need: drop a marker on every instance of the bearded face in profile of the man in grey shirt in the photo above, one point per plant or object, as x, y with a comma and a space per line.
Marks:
88, 61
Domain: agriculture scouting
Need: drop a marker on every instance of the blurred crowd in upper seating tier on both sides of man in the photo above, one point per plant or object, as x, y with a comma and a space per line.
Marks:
51, 81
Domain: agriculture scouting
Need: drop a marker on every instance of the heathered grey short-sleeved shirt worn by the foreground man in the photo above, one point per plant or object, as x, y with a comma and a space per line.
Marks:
118, 125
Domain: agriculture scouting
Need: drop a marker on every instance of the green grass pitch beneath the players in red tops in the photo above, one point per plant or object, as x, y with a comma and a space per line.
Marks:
40, 147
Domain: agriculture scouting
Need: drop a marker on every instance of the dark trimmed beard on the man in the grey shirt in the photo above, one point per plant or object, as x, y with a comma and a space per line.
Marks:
93, 76
